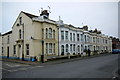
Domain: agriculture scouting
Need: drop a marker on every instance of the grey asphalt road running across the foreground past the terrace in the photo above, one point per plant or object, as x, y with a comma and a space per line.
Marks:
97, 67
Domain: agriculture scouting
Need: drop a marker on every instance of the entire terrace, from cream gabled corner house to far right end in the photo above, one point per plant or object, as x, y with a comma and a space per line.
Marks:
32, 36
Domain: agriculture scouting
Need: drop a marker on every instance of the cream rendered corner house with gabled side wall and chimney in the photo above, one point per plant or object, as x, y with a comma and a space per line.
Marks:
31, 36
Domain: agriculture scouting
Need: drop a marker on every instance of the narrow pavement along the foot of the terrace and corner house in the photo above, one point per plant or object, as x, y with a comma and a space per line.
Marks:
52, 61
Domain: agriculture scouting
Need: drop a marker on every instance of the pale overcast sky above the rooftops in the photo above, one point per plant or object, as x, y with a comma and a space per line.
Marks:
100, 15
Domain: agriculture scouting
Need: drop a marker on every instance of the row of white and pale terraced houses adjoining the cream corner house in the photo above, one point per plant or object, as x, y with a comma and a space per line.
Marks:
75, 40
